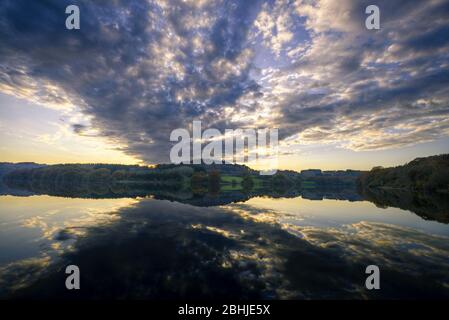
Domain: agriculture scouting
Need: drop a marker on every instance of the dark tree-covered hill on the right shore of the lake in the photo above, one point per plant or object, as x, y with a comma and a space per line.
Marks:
429, 174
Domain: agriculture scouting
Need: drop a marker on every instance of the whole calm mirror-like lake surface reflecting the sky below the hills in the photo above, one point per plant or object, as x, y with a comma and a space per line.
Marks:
262, 247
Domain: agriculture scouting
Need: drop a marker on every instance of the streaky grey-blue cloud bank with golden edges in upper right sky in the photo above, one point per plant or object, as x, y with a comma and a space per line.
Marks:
398, 74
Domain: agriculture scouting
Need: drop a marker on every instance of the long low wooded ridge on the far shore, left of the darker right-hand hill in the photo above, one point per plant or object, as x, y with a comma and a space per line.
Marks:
72, 173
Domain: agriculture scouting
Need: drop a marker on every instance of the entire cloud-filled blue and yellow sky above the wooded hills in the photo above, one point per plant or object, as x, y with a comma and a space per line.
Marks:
341, 96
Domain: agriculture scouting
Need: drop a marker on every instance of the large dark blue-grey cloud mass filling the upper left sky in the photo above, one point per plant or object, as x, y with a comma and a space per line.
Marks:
133, 65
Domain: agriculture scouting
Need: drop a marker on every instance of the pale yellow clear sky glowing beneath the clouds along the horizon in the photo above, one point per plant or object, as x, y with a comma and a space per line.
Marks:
34, 133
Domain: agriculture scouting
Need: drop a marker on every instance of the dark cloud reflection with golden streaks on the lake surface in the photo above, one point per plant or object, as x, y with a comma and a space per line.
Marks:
160, 249
